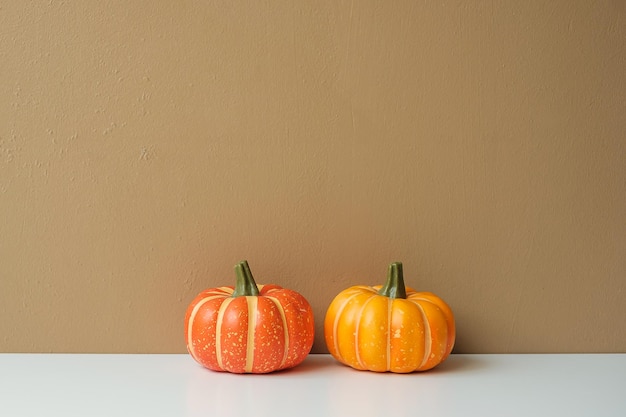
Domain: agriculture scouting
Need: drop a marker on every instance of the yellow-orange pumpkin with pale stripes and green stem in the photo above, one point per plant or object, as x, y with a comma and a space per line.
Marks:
389, 328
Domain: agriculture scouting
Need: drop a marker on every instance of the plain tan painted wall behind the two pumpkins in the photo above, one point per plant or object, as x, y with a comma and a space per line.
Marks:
147, 146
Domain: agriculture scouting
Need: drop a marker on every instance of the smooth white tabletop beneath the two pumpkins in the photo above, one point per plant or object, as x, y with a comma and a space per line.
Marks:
174, 385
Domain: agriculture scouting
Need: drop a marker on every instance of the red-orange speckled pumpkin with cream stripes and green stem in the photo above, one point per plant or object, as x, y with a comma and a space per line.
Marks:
249, 328
